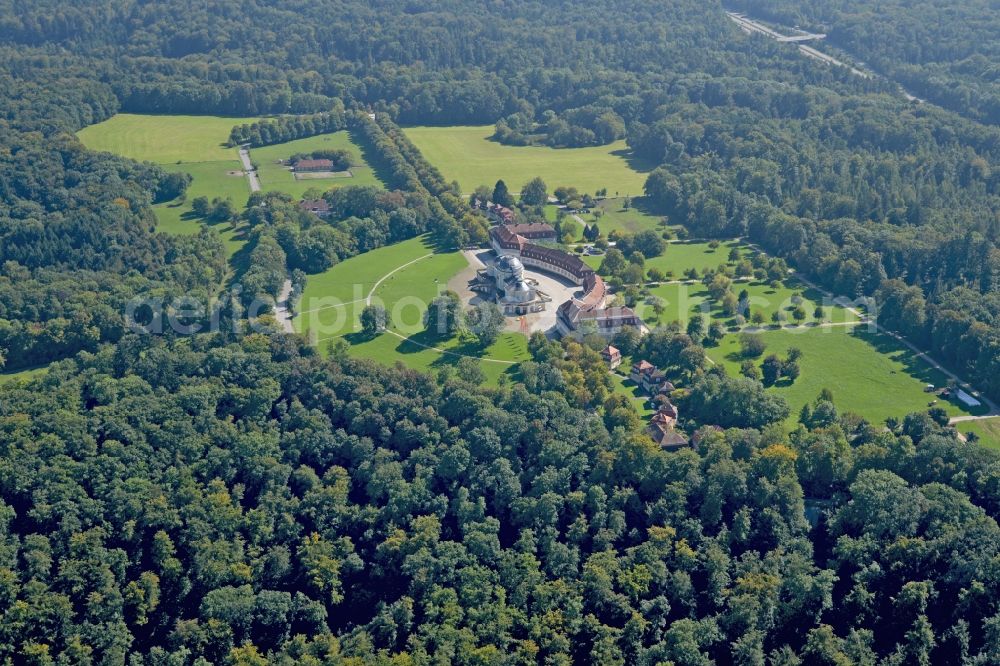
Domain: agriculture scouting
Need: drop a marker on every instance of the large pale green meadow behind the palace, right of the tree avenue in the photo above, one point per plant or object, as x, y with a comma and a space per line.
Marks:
466, 154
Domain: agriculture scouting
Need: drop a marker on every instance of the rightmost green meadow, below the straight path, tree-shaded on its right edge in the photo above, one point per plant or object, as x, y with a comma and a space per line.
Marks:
870, 374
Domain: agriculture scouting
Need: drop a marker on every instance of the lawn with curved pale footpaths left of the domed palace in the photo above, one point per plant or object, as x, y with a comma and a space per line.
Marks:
405, 294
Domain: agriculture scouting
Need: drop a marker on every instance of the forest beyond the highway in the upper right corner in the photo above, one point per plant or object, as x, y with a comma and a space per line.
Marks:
945, 52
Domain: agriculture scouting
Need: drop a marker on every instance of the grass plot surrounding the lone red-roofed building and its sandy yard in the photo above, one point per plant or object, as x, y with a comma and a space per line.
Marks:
275, 176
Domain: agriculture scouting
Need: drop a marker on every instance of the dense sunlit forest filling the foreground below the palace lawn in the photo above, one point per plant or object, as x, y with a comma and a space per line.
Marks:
204, 502
